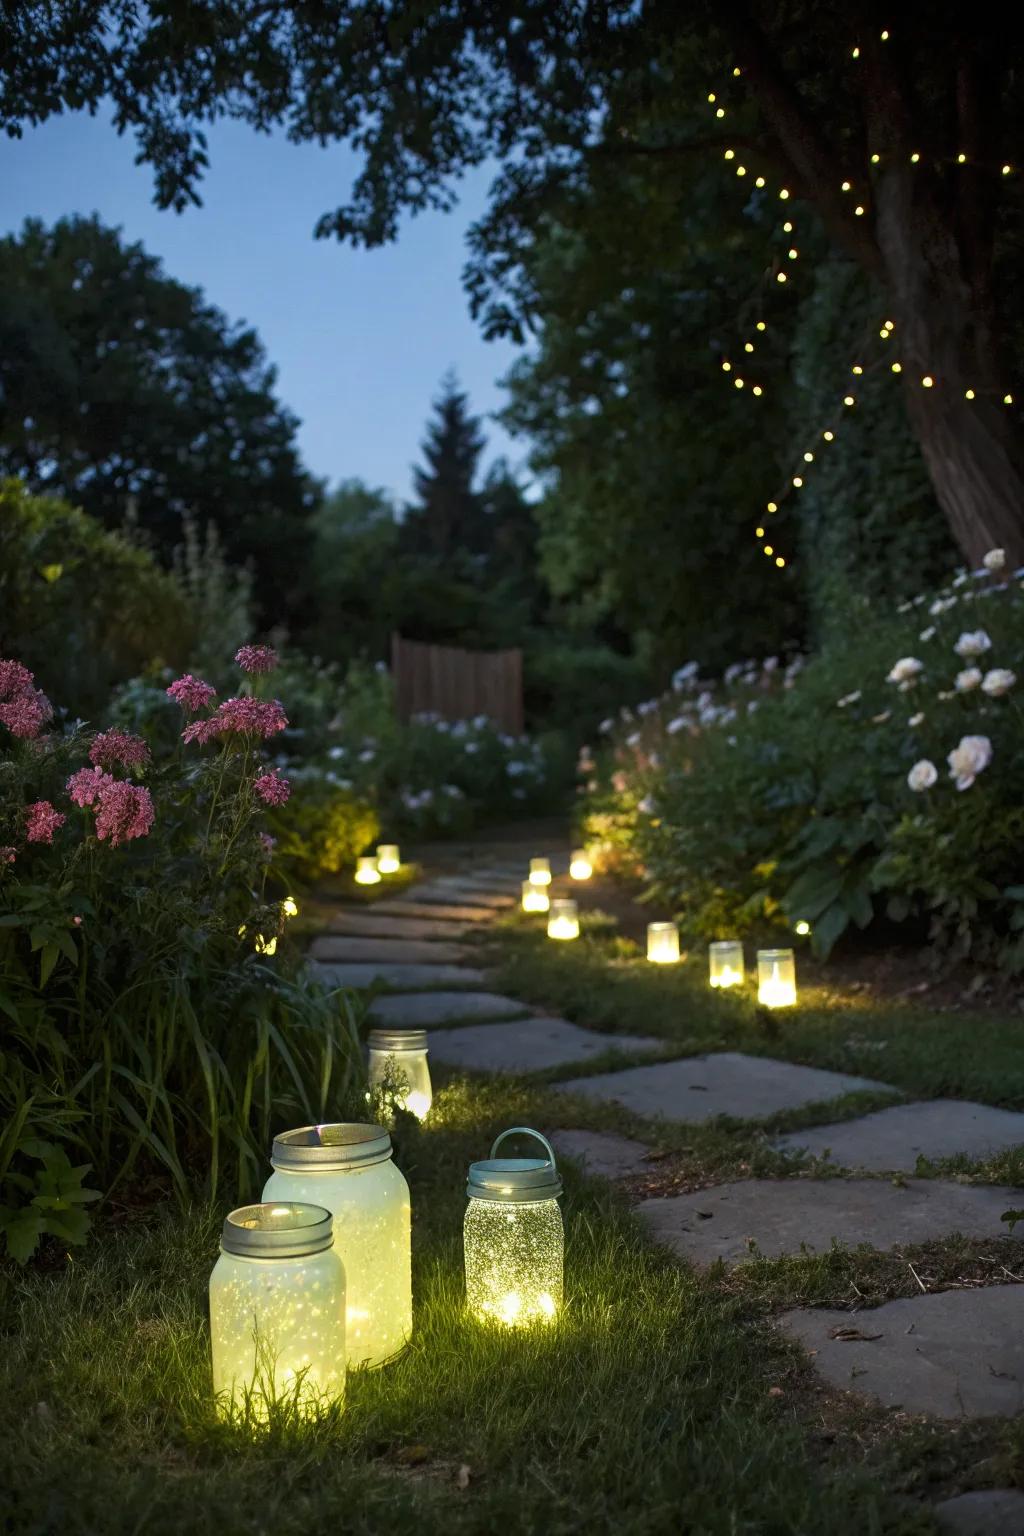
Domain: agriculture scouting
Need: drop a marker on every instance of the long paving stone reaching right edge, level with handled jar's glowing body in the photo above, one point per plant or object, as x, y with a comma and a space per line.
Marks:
782, 1216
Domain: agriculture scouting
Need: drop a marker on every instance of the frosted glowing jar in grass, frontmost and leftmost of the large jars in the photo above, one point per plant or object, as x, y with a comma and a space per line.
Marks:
279, 1313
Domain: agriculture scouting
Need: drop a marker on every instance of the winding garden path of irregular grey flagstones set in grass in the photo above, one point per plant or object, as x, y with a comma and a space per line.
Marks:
956, 1354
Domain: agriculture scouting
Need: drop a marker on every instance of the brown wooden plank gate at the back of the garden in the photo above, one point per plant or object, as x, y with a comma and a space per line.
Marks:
457, 684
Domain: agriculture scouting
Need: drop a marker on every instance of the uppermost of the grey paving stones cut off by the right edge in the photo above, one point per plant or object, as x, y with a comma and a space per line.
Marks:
894, 1139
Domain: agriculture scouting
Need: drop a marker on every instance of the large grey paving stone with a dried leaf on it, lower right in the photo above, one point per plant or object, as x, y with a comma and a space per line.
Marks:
957, 1354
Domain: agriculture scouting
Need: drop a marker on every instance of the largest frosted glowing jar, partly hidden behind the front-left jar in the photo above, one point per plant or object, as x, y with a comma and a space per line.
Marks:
349, 1171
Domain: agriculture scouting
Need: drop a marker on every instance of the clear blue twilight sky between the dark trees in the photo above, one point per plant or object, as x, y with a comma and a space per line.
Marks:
360, 339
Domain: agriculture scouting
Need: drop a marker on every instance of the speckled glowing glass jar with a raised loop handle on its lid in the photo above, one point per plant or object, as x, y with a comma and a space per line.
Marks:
514, 1237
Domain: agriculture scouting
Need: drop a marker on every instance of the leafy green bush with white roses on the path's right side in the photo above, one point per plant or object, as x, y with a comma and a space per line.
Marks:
807, 787
